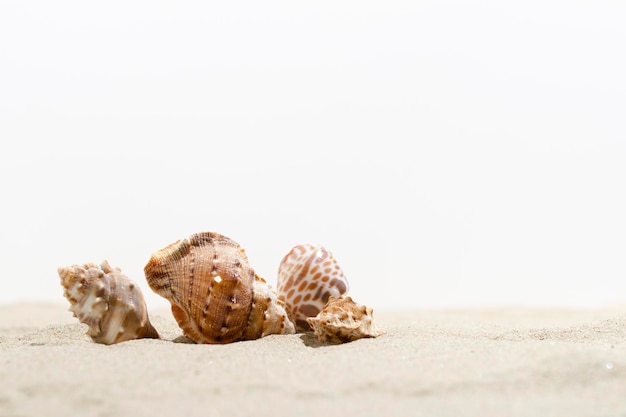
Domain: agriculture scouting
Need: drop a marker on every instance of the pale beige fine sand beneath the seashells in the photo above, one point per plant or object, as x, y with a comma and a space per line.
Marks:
475, 362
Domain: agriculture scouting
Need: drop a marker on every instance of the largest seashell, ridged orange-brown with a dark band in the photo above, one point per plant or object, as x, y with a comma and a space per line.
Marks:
216, 297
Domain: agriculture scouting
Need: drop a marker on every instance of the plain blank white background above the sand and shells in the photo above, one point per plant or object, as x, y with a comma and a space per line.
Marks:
448, 153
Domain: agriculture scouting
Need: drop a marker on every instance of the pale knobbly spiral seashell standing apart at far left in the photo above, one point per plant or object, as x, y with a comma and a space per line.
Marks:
107, 301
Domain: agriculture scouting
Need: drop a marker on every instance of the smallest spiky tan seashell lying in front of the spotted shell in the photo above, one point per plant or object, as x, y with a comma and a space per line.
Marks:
343, 320
